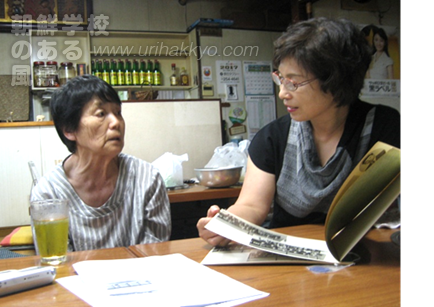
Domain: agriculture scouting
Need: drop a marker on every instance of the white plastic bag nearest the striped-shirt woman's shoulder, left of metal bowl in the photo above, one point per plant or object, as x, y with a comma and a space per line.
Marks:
170, 168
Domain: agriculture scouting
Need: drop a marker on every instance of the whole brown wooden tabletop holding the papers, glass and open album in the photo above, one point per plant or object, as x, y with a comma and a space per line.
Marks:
377, 283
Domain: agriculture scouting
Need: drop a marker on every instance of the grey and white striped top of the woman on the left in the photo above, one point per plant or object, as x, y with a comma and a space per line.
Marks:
138, 212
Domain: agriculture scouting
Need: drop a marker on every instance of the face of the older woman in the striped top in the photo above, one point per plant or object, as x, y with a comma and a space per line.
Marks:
101, 130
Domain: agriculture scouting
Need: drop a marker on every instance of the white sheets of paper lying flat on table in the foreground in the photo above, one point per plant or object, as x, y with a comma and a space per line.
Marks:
172, 280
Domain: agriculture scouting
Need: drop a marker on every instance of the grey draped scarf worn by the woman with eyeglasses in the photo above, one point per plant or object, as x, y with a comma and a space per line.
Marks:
320, 184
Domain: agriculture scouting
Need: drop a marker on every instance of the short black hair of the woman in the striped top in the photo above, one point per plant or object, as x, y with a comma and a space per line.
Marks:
67, 103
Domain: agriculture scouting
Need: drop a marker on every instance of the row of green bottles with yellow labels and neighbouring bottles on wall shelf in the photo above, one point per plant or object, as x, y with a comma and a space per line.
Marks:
125, 73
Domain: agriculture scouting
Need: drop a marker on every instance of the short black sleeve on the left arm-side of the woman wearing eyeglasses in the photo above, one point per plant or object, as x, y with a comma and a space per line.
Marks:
267, 148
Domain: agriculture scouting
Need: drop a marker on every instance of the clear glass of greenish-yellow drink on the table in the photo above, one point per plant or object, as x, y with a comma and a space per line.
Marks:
50, 224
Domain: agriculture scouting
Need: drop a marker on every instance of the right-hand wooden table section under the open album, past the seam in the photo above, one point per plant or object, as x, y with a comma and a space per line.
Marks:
377, 283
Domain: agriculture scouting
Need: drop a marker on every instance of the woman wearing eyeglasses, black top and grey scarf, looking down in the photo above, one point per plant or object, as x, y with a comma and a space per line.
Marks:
298, 163
